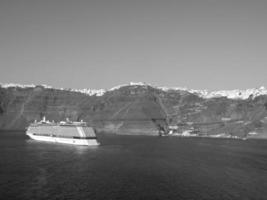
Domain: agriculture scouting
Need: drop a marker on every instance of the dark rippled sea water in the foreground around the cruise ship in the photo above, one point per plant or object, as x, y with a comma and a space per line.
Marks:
127, 167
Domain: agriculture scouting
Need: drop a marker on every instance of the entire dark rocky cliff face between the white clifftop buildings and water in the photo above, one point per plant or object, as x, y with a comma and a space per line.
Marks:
134, 109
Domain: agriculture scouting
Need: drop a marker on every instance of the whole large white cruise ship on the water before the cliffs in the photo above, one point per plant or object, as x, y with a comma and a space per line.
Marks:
68, 132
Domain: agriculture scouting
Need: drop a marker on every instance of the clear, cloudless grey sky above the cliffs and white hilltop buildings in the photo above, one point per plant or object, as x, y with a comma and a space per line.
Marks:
198, 44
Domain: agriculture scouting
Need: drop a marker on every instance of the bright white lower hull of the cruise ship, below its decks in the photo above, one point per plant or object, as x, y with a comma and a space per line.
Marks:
74, 141
